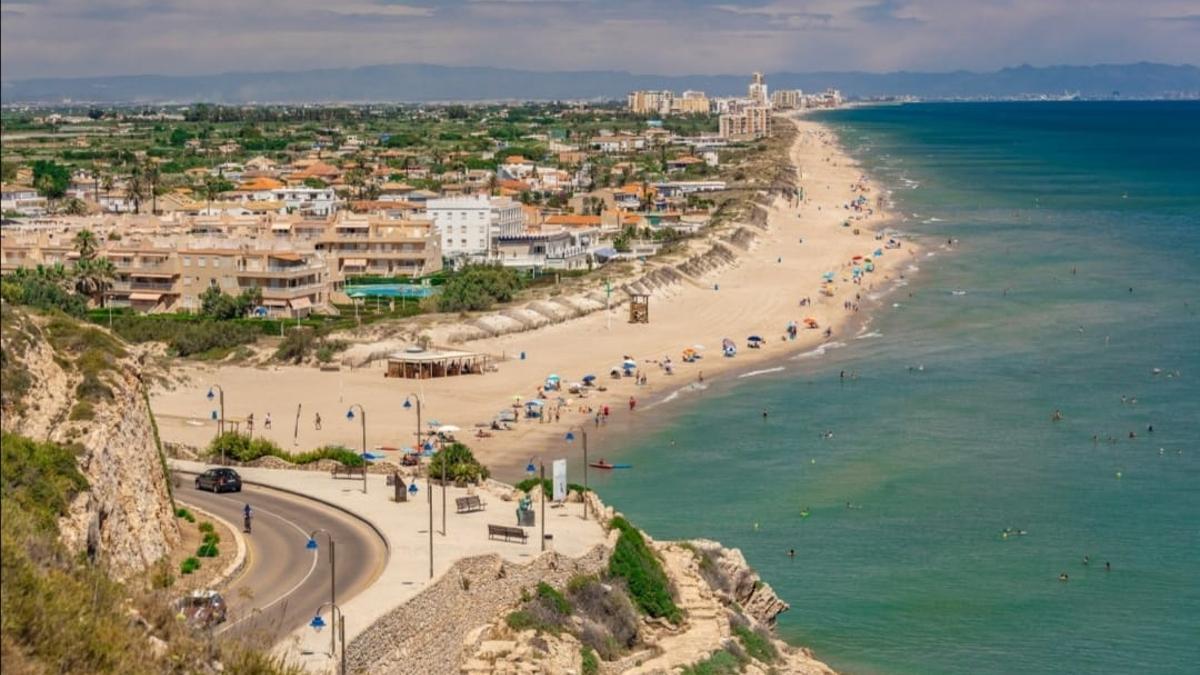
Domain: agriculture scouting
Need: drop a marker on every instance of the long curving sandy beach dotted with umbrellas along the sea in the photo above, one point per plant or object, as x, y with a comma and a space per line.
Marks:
757, 296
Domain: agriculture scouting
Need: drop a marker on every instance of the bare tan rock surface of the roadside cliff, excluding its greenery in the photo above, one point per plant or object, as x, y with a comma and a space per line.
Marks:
125, 519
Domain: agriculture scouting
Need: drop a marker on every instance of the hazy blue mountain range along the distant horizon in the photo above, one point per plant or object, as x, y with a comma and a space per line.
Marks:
422, 82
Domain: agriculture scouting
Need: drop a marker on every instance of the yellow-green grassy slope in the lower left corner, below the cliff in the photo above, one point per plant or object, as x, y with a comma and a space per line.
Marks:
62, 614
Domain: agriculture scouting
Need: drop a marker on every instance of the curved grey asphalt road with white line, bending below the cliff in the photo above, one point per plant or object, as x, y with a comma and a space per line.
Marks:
283, 583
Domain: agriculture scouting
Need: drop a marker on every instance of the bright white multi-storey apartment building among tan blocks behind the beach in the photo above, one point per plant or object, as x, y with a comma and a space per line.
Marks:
469, 225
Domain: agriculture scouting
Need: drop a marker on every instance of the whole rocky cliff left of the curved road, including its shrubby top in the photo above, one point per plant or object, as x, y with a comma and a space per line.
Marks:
79, 386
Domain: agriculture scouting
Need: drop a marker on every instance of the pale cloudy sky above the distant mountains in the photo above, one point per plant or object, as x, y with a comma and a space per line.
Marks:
97, 38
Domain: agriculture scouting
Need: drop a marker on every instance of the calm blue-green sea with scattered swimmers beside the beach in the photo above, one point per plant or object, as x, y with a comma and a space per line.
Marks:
938, 462
